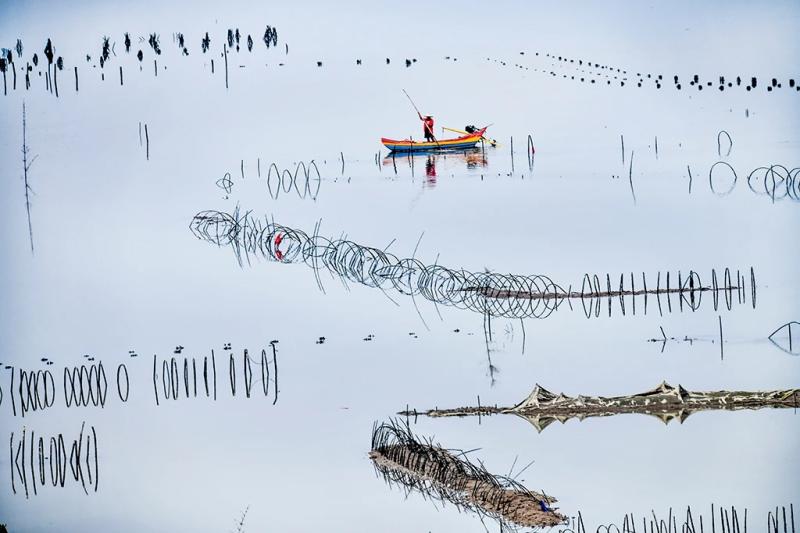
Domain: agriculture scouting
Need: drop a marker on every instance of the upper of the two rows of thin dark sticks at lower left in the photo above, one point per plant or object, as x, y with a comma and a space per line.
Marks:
87, 385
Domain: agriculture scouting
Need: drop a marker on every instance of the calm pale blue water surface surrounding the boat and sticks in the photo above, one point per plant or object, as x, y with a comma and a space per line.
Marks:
117, 271
